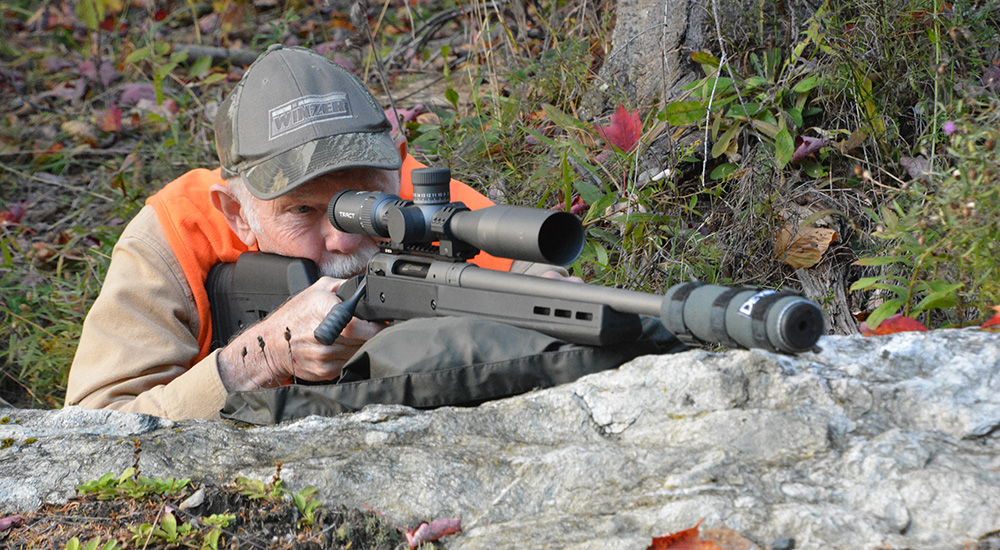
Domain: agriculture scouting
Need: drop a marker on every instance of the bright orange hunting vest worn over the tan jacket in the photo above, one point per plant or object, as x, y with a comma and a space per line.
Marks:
200, 237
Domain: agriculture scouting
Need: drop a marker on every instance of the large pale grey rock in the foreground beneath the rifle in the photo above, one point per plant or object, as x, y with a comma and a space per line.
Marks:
870, 443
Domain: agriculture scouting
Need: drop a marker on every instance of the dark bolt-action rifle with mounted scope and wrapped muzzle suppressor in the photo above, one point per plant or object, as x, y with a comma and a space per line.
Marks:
422, 271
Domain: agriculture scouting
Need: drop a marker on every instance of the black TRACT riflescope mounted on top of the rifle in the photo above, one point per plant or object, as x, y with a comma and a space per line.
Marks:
515, 232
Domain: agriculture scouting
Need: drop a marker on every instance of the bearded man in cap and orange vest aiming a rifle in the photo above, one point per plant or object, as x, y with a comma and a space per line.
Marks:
297, 129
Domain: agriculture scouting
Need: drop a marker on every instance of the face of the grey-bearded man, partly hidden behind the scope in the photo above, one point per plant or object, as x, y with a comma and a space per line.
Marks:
296, 224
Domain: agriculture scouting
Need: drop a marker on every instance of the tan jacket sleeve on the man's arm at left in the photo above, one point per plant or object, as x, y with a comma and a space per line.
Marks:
140, 337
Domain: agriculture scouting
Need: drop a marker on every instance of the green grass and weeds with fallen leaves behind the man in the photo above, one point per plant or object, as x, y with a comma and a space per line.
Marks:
510, 108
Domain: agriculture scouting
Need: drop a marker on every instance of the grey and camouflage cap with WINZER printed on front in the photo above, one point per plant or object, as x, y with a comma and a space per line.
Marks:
296, 115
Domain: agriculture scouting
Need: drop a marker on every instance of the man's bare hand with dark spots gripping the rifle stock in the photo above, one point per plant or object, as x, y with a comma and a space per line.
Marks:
282, 345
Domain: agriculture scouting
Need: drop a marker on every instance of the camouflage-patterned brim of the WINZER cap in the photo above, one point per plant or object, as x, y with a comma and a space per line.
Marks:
282, 173
